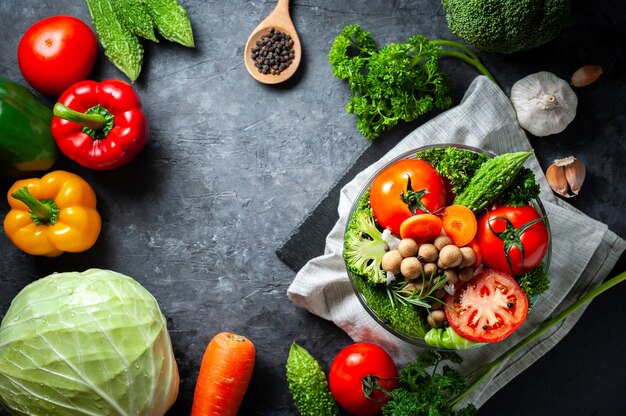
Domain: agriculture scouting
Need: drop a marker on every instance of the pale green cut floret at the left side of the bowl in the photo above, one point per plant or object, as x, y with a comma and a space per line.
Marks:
364, 246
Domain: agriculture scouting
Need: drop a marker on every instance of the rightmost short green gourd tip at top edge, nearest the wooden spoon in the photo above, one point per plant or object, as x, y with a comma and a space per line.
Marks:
171, 21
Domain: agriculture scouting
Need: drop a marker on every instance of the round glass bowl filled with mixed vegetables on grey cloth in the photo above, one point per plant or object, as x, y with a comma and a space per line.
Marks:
449, 246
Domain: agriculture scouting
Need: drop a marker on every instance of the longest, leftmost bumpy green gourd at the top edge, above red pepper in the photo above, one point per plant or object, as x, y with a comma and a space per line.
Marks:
120, 45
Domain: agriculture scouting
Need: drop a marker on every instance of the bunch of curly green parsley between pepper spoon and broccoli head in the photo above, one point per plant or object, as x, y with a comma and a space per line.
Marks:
398, 82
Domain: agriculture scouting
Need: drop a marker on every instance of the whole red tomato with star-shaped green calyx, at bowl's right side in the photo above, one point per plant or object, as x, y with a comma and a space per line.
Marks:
514, 234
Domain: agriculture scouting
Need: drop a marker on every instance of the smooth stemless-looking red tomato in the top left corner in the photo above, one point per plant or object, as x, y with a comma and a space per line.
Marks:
56, 52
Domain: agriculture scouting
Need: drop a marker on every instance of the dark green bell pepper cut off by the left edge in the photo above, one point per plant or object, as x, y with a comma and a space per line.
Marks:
26, 142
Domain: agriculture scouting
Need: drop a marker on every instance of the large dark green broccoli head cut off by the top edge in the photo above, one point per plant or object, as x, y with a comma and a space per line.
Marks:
506, 26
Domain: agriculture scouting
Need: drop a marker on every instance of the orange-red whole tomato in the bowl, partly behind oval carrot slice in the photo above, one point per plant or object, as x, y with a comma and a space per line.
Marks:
392, 199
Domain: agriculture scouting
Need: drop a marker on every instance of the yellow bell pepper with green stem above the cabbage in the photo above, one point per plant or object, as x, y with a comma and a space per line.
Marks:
52, 215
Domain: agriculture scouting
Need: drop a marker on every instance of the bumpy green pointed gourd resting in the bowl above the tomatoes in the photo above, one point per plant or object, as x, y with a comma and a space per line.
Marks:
491, 179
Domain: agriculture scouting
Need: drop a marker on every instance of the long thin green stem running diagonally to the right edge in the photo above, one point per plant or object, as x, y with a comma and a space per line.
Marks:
547, 325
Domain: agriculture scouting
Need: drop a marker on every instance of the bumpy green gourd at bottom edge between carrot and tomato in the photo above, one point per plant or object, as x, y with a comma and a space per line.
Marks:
308, 384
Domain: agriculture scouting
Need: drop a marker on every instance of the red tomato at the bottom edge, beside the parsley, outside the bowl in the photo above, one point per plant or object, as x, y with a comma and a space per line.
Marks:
357, 364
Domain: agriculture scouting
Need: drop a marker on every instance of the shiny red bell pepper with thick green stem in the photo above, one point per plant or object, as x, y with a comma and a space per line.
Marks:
100, 124
